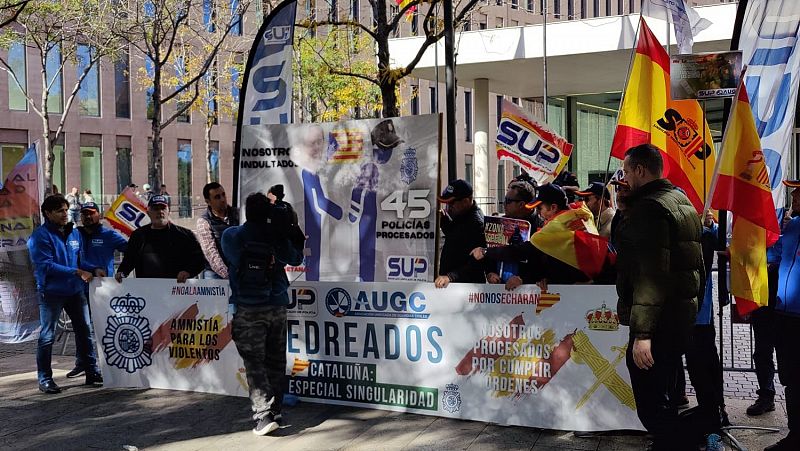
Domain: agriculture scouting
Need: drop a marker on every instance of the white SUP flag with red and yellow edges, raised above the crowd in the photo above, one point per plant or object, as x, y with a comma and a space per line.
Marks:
530, 144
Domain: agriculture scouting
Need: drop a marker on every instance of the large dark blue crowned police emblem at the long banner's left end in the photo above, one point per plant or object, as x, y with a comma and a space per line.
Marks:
128, 341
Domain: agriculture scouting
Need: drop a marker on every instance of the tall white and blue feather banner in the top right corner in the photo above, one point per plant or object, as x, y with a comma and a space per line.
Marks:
768, 41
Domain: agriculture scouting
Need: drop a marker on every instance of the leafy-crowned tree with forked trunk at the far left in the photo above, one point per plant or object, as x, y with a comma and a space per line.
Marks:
63, 33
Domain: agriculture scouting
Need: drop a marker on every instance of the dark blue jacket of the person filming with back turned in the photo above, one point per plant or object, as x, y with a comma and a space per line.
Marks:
233, 241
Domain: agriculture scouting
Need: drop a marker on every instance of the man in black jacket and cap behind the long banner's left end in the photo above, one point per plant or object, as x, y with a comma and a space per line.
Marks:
161, 249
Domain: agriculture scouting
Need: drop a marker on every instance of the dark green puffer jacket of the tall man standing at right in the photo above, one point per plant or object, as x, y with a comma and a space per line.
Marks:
659, 263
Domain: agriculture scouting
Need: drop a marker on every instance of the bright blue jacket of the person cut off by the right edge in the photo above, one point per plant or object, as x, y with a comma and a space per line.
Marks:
785, 252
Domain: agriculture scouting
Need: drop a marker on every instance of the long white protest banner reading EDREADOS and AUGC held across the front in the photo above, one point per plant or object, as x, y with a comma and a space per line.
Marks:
477, 352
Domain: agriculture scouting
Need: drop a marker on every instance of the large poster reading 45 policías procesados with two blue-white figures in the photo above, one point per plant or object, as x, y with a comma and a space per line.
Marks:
363, 192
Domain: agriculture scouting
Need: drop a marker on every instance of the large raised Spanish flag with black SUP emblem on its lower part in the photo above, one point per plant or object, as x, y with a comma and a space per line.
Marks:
649, 115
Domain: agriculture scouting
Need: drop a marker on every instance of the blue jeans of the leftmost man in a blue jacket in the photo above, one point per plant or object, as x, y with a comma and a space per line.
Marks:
77, 308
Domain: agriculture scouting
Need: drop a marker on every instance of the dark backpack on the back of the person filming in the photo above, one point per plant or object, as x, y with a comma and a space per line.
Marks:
256, 265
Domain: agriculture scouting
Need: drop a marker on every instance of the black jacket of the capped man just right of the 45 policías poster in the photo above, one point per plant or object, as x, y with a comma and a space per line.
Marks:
462, 234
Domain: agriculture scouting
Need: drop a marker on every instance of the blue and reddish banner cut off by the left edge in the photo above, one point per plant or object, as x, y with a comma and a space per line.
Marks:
19, 215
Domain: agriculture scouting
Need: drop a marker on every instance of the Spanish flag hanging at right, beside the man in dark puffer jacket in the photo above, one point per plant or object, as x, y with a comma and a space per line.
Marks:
742, 187
